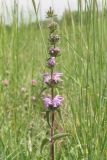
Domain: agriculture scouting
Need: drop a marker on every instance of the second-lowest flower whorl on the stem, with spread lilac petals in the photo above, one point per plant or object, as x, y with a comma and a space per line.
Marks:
55, 79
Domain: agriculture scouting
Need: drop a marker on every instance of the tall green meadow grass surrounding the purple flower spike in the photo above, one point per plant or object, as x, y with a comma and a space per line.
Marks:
23, 54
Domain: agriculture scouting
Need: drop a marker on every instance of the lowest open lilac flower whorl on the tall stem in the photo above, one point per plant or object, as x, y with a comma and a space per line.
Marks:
53, 103
